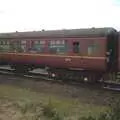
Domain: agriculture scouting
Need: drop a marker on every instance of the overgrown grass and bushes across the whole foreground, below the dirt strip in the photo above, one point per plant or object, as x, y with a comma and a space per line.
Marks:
30, 105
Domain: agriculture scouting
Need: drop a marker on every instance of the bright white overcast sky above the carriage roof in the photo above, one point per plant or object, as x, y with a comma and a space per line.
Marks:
33, 15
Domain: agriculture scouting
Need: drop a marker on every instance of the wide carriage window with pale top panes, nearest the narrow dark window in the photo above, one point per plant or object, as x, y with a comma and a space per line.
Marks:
58, 46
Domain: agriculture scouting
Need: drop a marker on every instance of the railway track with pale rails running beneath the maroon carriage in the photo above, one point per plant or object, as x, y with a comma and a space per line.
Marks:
45, 77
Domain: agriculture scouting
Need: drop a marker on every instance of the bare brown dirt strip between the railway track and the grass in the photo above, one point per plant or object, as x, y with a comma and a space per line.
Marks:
83, 92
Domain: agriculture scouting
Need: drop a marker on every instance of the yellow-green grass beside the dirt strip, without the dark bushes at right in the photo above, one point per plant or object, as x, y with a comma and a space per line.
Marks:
34, 106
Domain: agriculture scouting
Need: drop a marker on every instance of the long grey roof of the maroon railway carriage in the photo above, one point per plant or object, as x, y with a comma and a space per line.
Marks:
60, 33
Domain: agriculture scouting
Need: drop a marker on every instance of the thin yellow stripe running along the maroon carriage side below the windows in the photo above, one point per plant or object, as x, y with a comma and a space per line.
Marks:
64, 56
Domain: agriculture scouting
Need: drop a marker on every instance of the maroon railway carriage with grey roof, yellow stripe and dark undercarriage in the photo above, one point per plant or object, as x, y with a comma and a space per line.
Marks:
90, 54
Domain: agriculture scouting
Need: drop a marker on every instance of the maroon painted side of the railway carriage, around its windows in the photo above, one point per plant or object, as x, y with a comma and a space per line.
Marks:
68, 60
